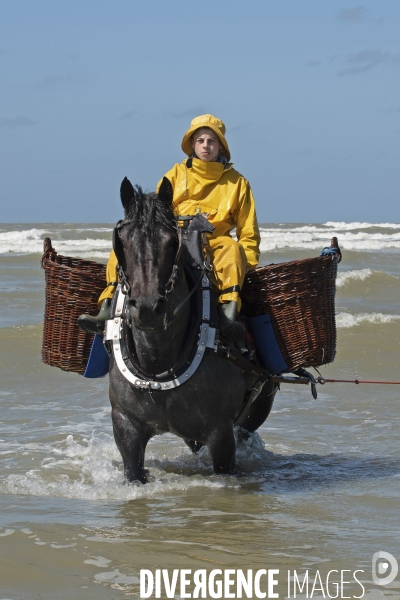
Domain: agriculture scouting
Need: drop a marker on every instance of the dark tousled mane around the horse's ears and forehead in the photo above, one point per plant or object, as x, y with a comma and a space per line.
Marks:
147, 209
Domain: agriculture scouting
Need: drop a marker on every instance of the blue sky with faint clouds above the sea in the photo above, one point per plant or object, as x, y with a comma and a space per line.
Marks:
92, 91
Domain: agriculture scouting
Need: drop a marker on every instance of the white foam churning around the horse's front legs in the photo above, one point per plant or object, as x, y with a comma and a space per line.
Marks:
98, 475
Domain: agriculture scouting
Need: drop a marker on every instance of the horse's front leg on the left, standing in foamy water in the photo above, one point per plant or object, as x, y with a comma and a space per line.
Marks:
131, 443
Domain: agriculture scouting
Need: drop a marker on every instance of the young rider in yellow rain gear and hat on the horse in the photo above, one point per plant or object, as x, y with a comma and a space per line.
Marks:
207, 183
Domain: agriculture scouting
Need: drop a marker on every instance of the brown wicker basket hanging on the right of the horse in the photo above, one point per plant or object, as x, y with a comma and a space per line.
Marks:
299, 297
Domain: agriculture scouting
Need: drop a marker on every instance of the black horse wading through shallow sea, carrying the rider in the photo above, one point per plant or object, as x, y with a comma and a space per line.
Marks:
203, 410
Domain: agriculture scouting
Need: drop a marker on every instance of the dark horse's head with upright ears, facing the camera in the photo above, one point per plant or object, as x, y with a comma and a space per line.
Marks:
146, 244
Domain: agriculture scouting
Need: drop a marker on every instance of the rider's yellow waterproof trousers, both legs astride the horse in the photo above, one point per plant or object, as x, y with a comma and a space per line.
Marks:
228, 259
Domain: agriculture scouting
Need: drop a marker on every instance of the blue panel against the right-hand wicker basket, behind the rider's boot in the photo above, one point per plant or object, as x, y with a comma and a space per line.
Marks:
267, 346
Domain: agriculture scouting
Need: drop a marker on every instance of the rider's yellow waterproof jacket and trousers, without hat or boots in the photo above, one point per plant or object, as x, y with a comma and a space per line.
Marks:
226, 197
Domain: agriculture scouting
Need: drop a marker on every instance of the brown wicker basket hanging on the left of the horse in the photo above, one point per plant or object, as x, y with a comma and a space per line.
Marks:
73, 287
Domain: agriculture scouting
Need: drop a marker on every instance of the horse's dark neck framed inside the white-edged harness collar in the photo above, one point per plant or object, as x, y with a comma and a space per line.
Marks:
158, 351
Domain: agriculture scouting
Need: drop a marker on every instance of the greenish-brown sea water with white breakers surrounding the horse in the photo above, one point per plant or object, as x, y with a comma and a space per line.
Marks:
317, 487
